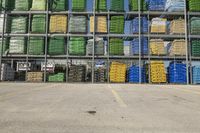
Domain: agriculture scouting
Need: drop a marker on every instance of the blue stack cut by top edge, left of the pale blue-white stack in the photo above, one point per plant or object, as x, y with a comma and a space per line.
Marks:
156, 5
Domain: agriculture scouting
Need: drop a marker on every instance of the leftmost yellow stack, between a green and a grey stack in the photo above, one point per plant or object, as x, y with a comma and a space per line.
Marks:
58, 24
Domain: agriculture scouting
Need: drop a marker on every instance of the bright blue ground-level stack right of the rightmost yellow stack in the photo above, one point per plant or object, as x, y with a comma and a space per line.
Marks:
177, 73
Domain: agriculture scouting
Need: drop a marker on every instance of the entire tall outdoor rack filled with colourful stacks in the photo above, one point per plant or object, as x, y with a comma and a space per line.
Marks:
100, 41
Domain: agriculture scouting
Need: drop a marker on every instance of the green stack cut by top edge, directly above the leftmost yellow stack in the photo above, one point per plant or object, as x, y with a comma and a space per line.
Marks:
59, 5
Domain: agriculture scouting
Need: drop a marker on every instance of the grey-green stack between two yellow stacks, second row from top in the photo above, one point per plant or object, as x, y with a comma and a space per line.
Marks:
78, 24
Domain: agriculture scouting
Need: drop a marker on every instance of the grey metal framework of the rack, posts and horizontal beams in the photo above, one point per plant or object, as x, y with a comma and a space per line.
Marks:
90, 60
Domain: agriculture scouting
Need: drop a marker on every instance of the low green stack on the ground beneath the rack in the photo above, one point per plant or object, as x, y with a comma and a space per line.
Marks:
59, 77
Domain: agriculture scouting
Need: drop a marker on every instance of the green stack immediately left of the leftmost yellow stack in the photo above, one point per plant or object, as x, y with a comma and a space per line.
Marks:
38, 24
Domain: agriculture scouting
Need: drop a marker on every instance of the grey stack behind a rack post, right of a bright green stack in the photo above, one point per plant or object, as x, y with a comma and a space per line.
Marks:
99, 46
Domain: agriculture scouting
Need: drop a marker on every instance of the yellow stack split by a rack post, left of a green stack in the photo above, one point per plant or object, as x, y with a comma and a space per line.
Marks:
101, 24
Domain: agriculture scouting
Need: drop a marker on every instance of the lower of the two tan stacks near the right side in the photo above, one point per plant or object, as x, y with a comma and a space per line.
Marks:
178, 48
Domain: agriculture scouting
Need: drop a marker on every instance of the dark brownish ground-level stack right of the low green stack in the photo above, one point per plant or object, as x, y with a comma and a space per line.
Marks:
77, 73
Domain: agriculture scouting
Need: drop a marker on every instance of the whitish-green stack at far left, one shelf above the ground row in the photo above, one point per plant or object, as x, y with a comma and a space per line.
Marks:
17, 45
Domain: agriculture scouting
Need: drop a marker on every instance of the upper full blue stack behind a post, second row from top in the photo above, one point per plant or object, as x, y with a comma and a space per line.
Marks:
144, 25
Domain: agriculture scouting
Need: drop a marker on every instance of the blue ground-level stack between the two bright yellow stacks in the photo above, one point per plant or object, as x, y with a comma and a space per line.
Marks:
133, 74
